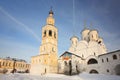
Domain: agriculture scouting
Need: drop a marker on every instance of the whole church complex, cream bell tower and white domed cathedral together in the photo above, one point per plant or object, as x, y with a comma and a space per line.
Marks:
87, 54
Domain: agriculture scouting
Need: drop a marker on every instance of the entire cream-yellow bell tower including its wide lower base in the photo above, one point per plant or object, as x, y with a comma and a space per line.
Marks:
47, 59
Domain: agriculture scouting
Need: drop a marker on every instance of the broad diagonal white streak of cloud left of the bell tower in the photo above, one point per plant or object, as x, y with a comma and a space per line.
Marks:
20, 23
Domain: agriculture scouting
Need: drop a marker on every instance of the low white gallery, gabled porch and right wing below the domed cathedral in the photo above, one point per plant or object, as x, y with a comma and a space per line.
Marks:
108, 63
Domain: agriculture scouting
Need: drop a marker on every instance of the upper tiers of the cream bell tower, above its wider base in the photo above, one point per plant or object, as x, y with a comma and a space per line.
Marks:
49, 36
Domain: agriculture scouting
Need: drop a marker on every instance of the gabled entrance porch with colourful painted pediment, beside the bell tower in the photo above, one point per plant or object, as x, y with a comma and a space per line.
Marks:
69, 61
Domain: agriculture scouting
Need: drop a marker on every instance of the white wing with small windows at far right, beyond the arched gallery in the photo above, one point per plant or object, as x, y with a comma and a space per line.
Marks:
108, 63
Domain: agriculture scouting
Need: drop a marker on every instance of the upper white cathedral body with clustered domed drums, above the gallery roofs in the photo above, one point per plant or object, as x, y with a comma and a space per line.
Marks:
90, 44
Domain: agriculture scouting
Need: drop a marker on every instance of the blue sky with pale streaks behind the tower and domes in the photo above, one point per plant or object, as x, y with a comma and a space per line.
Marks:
21, 22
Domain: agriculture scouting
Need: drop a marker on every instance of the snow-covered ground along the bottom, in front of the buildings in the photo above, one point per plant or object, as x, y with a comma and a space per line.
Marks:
83, 76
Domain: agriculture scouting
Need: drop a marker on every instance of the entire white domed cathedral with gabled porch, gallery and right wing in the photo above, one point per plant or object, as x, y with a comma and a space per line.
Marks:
90, 55
